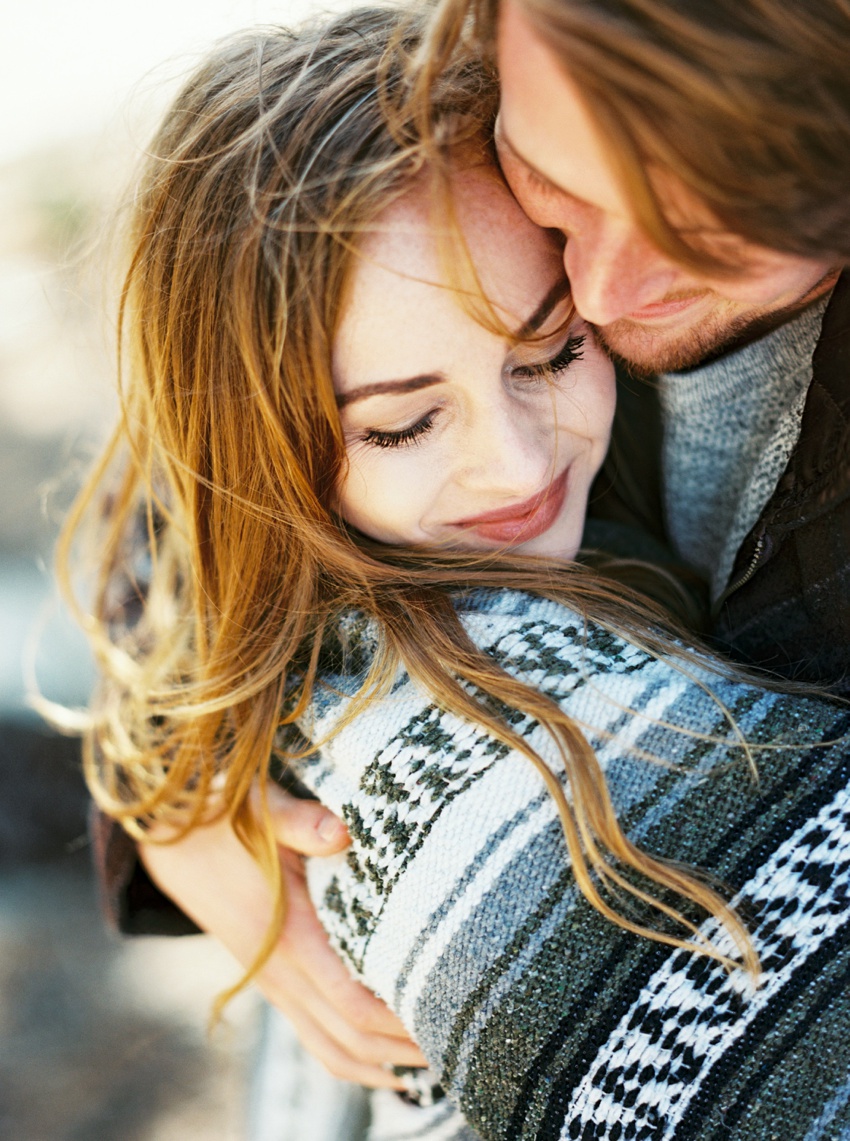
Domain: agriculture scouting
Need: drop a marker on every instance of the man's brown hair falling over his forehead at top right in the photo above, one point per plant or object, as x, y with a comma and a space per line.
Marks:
747, 103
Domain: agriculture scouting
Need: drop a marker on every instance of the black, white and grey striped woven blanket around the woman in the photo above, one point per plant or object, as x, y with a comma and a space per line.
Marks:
540, 1018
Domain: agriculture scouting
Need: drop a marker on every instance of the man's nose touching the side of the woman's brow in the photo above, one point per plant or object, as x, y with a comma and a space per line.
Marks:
616, 271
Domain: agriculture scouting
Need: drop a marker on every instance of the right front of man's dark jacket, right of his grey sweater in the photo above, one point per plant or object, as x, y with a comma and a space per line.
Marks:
788, 609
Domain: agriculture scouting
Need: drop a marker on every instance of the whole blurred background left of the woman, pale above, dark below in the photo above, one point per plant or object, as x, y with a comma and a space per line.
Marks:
101, 1038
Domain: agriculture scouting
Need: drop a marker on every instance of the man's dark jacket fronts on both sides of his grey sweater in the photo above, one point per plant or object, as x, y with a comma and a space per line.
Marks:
788, 605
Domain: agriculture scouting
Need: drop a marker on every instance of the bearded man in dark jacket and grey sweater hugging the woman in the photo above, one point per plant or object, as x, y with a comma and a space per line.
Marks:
697, 158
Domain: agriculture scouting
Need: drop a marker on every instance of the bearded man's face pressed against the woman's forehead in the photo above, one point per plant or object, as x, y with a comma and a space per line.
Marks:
647, 310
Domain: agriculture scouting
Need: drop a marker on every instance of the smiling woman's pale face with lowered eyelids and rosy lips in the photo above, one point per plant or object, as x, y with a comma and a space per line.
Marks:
456, 439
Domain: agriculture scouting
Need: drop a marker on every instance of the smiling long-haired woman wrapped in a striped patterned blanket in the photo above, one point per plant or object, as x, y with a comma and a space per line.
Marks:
281, 440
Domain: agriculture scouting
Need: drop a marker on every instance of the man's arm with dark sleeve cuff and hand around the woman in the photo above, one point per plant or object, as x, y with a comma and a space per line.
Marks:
208, 883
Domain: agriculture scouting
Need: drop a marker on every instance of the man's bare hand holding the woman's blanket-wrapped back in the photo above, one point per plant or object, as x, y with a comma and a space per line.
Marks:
217, 884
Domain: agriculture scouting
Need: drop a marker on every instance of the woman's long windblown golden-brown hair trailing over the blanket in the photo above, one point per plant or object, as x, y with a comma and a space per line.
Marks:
209, 527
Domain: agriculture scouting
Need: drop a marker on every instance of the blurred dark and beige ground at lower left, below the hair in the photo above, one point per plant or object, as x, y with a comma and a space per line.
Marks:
102, 1039
